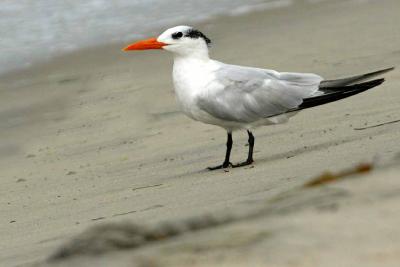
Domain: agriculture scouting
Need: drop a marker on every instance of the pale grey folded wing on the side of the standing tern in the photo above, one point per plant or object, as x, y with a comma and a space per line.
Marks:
245, 95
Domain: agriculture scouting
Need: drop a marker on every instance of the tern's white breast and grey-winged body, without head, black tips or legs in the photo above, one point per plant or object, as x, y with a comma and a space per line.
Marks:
236, 97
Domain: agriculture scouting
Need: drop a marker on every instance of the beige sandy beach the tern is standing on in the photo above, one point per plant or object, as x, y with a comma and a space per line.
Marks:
95, 137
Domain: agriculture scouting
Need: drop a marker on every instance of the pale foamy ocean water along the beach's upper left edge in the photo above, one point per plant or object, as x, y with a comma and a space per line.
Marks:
36, 30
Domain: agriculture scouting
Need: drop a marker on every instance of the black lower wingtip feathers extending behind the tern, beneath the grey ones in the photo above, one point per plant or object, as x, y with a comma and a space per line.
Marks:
337, 93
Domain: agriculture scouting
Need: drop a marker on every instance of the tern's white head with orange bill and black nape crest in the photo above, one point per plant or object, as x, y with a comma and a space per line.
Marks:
180, 40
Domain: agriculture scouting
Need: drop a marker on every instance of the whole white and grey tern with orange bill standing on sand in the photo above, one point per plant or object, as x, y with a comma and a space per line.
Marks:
237, 97
